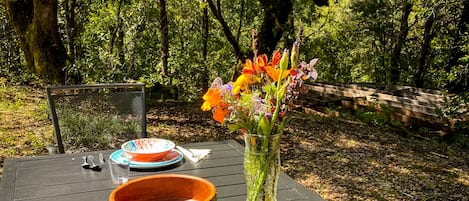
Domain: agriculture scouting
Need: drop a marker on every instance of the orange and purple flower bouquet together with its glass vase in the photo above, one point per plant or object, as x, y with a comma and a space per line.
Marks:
256, 104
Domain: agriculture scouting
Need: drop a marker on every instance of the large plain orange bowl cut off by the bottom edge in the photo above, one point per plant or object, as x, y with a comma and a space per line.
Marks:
170, 187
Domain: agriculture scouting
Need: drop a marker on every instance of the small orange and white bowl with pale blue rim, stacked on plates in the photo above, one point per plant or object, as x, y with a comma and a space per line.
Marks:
148, 149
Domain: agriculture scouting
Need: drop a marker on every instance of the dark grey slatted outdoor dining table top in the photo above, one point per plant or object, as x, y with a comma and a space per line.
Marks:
60, 177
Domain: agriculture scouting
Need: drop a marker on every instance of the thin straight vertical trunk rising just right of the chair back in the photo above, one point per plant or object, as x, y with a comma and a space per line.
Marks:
164, 36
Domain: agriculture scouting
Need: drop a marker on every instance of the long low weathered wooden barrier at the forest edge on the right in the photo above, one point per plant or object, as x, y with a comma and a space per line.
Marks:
409, 105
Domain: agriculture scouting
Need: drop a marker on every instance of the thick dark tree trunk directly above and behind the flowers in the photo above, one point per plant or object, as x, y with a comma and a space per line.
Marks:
276, 14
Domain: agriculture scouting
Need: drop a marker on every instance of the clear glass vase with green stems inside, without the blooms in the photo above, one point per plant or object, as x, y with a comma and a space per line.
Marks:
262, 166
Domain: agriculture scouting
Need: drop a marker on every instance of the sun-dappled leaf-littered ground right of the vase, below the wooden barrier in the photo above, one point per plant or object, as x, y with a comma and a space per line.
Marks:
345, 161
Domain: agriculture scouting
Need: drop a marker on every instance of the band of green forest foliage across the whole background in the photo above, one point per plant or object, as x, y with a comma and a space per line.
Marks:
184, 44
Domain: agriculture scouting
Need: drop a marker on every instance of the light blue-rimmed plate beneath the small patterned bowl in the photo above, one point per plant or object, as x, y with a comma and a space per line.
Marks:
173, 157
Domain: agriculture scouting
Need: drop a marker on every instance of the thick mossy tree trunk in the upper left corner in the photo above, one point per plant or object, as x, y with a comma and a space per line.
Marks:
35, 22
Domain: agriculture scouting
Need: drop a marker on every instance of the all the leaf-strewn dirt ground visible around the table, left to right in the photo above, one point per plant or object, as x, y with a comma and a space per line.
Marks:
340, 158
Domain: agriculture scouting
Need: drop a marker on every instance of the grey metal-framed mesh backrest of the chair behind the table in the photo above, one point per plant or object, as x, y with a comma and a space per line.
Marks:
97, 116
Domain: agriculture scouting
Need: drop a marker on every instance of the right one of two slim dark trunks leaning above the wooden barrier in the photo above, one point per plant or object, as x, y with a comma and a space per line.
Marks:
427, 37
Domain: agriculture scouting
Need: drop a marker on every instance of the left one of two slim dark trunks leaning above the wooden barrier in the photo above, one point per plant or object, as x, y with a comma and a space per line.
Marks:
401, 39
